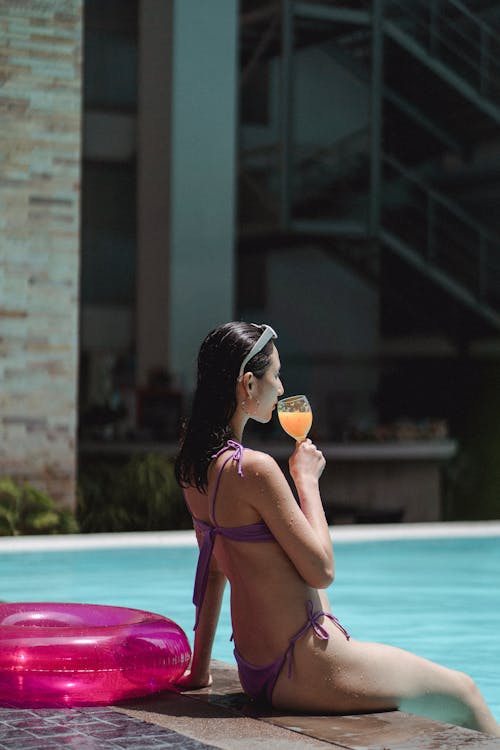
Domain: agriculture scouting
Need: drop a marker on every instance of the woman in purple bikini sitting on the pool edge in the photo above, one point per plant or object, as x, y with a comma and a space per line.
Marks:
278, 556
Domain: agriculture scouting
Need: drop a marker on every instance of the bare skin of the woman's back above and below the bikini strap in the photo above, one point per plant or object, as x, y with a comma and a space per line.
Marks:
263, 577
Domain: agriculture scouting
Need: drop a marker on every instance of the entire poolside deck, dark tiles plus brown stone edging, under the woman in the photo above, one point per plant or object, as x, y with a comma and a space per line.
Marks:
222, 717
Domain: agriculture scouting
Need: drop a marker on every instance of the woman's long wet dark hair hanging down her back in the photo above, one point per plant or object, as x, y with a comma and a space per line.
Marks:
214, 402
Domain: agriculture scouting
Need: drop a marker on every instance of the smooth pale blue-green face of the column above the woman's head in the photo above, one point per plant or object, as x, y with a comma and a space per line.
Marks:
204, 111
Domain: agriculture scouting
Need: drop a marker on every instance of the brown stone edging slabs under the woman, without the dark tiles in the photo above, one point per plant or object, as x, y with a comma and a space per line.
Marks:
223, 717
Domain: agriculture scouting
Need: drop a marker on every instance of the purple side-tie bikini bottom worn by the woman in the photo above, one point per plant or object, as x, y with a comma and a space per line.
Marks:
259, 682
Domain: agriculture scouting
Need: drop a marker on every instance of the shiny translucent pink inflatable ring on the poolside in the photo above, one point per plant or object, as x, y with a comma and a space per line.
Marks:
86, 654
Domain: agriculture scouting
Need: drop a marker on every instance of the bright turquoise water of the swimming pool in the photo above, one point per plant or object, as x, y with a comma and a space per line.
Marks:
439, 598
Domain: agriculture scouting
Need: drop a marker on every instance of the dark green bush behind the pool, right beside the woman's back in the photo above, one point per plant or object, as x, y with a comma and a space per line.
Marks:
141, 495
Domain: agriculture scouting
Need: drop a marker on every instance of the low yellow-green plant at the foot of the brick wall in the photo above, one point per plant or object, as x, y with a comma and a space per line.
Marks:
24, 509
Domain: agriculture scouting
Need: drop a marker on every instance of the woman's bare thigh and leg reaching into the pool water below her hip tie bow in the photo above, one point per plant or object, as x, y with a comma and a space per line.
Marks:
351, 676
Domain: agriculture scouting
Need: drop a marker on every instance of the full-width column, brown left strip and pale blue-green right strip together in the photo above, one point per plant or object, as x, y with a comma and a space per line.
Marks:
187, 155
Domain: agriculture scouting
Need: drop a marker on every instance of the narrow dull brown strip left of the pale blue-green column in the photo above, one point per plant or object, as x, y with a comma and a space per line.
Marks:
153, 186
